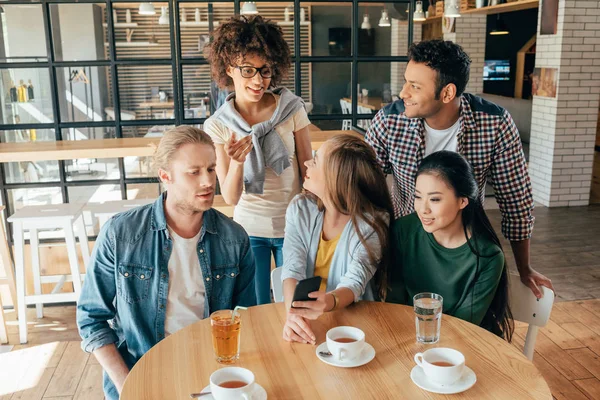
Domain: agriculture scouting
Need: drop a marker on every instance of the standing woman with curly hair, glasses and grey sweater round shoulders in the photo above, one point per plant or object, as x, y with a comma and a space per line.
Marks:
260, 133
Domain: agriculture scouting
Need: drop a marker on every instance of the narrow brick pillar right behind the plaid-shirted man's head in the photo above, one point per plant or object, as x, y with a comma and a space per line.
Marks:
470, 33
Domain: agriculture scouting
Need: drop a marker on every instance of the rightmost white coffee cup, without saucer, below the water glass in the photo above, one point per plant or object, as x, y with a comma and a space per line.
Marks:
442, 375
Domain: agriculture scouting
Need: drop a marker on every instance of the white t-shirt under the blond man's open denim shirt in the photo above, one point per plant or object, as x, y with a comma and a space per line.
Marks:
185, 301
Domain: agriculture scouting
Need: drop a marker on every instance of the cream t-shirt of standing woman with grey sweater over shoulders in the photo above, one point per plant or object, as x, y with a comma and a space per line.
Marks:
263, 215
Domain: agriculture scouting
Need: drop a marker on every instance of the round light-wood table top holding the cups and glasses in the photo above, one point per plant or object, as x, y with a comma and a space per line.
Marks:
183, 362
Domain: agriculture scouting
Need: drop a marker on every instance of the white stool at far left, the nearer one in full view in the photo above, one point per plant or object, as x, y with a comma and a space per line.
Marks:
35, 218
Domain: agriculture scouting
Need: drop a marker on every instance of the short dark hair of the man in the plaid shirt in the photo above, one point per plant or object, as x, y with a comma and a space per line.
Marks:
447, 58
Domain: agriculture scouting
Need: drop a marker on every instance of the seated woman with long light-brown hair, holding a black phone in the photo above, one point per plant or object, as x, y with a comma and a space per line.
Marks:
339, 232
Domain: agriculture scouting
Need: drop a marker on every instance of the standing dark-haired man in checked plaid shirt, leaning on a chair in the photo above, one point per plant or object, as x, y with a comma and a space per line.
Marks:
434, 114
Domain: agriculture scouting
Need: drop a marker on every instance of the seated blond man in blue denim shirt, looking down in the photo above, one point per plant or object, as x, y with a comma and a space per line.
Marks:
158, 268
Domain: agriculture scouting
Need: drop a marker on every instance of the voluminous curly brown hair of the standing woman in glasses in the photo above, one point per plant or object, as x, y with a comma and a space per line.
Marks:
241, 36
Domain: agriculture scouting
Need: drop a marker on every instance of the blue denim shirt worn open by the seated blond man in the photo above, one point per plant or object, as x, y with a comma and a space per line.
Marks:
124, 296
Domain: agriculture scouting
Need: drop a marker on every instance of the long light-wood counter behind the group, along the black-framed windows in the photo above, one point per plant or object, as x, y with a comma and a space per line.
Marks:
107, 148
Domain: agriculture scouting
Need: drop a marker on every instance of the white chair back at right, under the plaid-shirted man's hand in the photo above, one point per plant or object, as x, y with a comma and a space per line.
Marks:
527, 308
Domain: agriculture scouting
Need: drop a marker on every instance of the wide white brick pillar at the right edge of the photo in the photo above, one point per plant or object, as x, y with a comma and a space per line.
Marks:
563, 129
